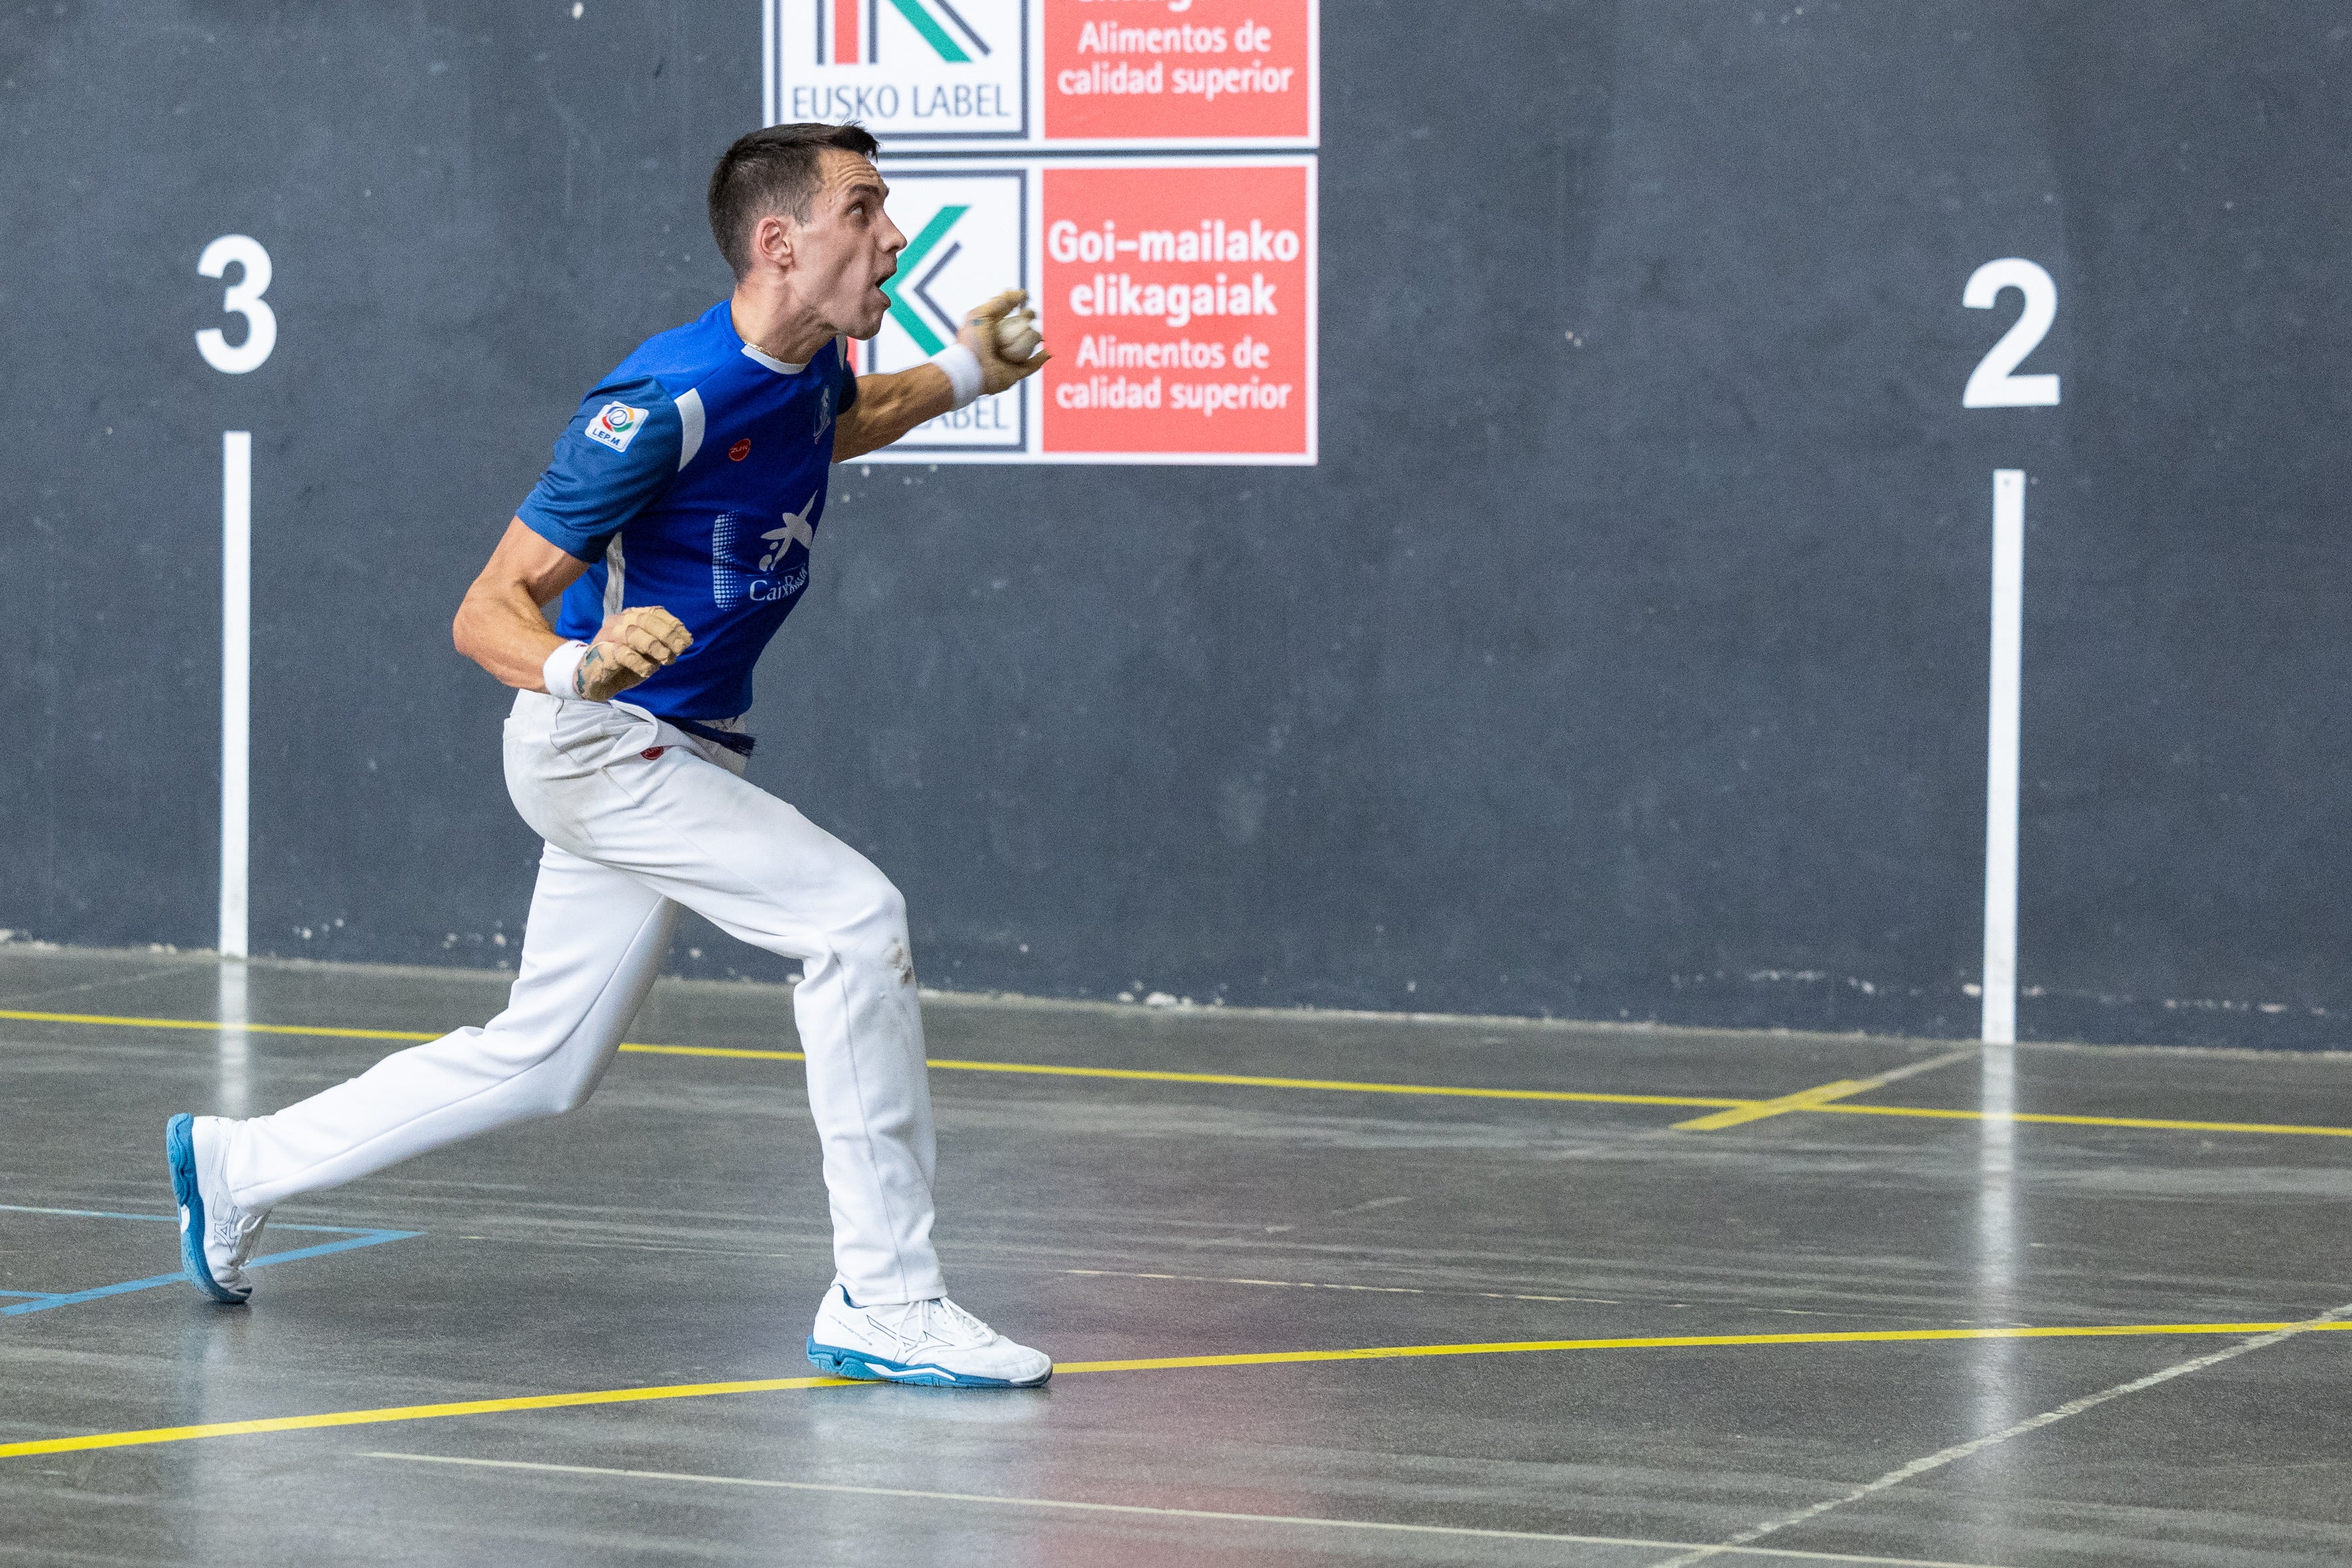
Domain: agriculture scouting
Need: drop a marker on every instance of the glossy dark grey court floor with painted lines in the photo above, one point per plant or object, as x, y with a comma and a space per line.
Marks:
1631, 1296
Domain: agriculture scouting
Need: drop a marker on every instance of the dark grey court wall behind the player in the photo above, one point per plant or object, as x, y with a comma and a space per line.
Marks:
1636, 674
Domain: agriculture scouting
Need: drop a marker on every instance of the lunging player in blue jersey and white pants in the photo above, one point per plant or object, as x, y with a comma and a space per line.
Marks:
676, 530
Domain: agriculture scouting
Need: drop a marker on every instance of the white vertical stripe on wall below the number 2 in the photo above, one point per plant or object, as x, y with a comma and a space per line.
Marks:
2003, 756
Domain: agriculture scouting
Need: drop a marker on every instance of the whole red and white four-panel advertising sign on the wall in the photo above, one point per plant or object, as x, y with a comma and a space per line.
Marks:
1175, 286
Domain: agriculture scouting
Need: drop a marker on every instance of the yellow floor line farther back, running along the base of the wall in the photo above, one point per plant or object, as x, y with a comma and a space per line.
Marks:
1805, 1101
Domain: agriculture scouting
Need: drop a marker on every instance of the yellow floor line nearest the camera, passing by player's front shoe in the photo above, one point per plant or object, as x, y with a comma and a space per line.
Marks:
1149, 1365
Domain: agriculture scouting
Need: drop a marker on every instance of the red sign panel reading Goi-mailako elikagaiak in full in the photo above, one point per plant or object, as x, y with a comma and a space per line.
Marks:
1182, 311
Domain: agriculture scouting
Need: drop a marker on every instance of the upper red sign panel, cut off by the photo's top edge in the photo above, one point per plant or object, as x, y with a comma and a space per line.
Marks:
1163, 72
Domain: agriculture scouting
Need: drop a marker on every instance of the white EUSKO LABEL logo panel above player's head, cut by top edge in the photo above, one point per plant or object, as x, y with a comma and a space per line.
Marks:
911, 72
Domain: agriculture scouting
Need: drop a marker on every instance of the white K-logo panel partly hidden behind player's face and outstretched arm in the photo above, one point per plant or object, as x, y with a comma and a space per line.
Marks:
965, 241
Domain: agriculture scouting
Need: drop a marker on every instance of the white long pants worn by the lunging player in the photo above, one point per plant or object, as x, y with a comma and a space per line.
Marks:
632, 836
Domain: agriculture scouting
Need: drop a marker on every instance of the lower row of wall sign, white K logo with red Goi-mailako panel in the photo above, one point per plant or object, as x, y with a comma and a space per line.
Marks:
1175, 293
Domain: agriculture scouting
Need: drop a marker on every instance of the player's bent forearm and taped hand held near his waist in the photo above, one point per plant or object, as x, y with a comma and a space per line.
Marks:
502, 629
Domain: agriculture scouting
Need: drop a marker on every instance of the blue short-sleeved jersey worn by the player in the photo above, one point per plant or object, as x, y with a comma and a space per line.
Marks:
695, 478
